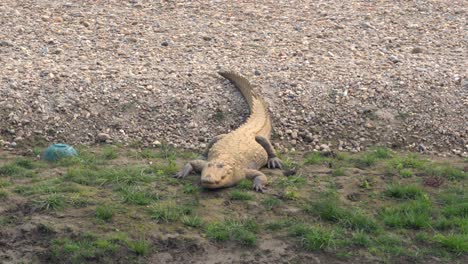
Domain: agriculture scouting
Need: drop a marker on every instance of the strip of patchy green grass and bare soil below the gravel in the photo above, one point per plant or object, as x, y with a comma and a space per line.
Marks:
108, 194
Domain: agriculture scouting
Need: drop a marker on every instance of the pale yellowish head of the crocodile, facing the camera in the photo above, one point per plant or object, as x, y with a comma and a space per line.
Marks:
216, 174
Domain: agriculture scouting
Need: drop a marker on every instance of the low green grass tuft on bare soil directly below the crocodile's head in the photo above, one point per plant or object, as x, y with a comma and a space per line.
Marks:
243, 232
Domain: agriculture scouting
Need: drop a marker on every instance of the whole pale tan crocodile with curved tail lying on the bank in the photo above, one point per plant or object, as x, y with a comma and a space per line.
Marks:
241, 153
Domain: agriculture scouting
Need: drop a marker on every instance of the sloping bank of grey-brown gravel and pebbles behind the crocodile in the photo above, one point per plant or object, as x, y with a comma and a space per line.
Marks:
126, 80
